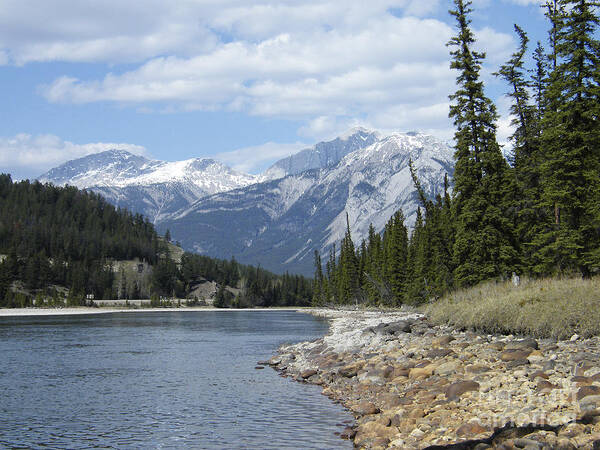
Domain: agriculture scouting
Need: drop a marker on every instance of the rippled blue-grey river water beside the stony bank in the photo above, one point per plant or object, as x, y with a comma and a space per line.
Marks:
159, 380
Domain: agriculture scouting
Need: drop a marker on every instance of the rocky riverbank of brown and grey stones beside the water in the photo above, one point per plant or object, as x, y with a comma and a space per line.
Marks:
413, 385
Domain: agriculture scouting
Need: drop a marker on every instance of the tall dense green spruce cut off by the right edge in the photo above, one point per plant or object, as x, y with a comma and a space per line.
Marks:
570, 143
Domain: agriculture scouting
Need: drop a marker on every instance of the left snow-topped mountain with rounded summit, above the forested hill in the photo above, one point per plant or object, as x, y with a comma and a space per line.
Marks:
153, 188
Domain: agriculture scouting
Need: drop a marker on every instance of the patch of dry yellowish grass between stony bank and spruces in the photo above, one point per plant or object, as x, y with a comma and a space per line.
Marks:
555, 308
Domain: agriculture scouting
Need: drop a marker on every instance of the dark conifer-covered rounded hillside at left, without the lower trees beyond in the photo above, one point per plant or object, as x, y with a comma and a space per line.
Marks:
60, 236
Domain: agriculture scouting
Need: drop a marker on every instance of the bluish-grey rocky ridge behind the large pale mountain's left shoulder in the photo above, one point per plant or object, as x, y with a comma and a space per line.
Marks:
323, 154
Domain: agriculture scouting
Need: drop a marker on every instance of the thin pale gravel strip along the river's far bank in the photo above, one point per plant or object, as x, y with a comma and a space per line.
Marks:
35, 312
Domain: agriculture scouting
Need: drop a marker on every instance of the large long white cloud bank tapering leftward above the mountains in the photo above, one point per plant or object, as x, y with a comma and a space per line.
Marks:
338, 75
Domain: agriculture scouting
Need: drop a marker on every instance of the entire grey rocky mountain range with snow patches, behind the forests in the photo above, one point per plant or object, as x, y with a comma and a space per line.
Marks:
279, 218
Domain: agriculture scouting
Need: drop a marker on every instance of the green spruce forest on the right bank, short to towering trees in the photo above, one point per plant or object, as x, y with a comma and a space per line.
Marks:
535, 213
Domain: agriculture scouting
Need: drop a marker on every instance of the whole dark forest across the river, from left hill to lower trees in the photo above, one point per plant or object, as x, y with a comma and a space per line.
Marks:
62, 246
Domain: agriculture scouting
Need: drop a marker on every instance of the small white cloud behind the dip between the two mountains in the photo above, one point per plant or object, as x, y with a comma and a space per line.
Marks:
255, 159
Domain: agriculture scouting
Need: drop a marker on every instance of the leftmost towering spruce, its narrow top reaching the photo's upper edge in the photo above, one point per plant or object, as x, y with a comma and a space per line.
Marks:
484, 246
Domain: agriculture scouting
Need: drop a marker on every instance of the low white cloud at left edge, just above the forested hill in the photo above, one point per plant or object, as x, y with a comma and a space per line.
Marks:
29, 156
